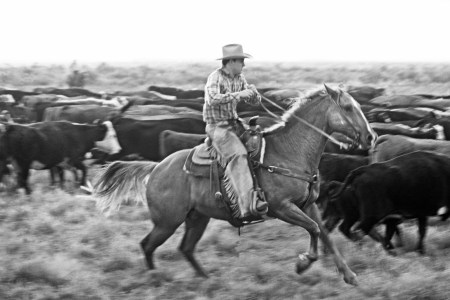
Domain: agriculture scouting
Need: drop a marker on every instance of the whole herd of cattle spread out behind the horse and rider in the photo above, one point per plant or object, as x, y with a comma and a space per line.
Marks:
405, 175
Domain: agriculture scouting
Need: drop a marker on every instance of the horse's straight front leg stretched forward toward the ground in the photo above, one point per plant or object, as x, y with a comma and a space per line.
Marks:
349, 275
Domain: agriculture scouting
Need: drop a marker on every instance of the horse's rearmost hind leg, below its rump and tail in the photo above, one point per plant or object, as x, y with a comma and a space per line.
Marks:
154, 239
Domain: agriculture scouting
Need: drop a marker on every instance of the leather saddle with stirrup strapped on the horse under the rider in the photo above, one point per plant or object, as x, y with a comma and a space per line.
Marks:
201, 163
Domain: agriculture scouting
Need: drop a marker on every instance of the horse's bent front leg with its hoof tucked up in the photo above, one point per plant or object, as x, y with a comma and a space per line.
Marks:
291, 214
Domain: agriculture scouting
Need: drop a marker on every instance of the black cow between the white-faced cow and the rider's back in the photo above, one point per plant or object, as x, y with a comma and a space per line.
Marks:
142, 136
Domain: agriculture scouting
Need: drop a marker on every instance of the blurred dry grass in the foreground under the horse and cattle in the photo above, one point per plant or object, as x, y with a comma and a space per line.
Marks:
48, 256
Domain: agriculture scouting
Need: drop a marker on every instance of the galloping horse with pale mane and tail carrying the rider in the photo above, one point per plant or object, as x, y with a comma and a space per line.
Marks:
174, 197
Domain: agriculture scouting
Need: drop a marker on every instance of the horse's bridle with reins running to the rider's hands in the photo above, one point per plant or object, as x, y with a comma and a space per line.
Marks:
341, 145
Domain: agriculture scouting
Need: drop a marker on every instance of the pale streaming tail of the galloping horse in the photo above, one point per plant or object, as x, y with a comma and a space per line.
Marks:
120, 181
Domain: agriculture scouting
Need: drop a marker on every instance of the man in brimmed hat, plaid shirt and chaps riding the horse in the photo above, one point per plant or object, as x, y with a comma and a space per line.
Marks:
225, 87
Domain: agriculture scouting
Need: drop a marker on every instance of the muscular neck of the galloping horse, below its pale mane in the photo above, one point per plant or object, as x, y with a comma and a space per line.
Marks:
298, 145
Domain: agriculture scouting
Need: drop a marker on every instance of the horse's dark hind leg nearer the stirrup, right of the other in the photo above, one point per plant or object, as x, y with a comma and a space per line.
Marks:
195, 227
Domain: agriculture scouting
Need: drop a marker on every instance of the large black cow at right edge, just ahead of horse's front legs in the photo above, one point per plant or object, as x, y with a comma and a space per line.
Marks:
414, 185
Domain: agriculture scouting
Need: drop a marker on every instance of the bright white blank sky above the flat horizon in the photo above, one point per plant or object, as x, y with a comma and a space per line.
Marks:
43, 31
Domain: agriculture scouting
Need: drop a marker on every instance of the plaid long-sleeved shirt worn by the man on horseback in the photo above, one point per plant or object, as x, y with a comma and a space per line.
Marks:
222, 96
